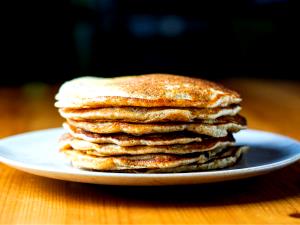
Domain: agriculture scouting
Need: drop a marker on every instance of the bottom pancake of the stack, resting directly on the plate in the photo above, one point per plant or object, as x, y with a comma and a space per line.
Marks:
156, 163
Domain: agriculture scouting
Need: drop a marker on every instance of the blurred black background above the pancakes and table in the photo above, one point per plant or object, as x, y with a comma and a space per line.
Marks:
52, 41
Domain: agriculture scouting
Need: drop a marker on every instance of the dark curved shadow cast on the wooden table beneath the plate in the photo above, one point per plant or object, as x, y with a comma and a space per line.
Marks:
277, 185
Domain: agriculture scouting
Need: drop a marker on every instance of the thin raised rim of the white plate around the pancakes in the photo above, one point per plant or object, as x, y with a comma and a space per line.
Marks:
216, 173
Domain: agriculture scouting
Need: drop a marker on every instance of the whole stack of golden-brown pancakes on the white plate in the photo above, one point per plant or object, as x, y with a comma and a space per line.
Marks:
149, 123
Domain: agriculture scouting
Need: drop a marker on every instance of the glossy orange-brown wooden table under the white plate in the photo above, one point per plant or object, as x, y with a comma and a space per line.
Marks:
270, 199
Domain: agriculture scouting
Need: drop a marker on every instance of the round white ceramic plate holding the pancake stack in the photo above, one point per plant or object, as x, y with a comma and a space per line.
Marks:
37, 153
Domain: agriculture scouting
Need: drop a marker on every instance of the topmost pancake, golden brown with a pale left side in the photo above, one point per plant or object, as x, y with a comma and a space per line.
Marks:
152, 90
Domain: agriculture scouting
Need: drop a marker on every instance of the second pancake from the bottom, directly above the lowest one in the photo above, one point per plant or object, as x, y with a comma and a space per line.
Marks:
69, 142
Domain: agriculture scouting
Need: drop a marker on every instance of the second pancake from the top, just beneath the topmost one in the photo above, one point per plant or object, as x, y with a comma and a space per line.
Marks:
148, 115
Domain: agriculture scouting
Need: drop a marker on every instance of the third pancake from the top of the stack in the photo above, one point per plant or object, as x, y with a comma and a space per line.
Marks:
221, 129
